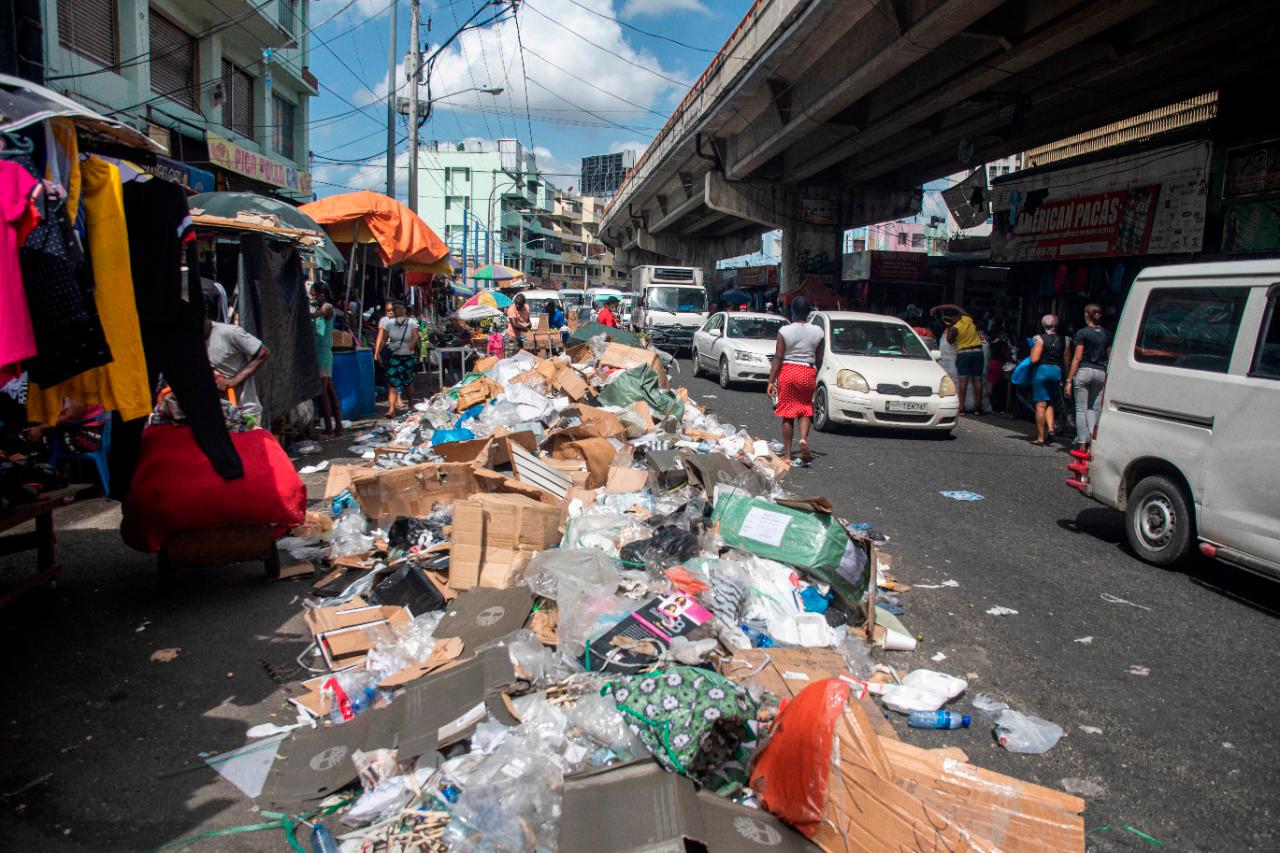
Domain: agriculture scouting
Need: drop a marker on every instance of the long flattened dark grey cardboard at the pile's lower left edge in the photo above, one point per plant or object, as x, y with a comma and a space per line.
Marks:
314, 763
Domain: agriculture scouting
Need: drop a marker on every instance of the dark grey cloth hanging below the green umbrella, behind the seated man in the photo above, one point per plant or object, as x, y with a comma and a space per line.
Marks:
275, 308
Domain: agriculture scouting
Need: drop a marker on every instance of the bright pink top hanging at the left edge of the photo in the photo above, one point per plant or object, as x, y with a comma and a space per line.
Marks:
19, 218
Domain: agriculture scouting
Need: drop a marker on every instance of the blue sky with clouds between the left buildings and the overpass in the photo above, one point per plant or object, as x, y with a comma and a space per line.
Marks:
596, 84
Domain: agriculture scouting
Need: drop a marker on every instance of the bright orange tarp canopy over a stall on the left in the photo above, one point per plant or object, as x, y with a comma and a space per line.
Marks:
401, 236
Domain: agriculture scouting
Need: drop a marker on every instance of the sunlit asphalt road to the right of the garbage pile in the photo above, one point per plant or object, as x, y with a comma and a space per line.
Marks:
1187, 754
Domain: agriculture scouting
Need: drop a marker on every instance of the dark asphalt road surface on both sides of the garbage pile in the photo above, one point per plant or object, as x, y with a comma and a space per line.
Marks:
103, 745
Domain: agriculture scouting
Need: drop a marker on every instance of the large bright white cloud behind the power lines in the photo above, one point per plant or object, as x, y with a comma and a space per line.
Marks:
573, 80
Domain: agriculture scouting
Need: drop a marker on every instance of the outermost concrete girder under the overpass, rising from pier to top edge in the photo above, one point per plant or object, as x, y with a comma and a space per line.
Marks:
883, 52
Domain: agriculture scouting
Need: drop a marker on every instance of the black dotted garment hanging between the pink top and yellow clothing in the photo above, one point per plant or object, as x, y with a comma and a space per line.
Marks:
70, 337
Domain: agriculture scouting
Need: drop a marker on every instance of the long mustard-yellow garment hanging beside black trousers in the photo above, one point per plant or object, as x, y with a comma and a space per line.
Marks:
122, 385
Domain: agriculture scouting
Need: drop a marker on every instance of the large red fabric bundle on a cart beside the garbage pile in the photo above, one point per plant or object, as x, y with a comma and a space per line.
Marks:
176, 489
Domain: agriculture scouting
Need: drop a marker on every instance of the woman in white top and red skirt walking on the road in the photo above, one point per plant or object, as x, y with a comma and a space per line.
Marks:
794, 376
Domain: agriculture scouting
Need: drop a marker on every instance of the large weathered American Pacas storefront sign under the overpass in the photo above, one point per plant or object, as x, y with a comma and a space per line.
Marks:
1150, 203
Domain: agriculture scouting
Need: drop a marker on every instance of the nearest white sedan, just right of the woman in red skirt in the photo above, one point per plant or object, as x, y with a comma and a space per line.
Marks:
876, 372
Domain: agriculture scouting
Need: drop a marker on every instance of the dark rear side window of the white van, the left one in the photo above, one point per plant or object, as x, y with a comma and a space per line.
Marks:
1191, 329
